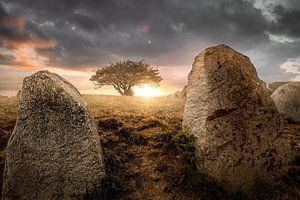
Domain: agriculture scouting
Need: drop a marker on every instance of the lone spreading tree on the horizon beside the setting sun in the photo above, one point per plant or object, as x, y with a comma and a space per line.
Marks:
124, 75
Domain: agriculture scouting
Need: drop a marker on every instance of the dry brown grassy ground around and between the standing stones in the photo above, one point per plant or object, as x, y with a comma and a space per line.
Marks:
146, 154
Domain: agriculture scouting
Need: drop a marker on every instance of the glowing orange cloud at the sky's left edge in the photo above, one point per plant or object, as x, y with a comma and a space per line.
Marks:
19, 45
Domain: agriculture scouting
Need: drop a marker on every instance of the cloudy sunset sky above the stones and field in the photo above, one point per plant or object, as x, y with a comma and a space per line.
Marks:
75, 37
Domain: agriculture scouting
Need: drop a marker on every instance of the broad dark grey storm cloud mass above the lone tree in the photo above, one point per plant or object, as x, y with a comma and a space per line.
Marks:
91, 32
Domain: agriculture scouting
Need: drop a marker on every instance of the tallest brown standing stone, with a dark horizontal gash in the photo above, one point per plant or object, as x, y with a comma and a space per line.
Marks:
237, 126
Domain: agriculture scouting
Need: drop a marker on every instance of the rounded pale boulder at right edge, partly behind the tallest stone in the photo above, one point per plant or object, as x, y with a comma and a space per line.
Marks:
287, 100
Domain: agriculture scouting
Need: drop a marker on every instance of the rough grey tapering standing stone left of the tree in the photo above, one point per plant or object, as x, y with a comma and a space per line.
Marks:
54, 151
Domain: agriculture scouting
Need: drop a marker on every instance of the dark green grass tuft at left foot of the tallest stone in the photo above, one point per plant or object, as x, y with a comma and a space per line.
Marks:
189, 179
